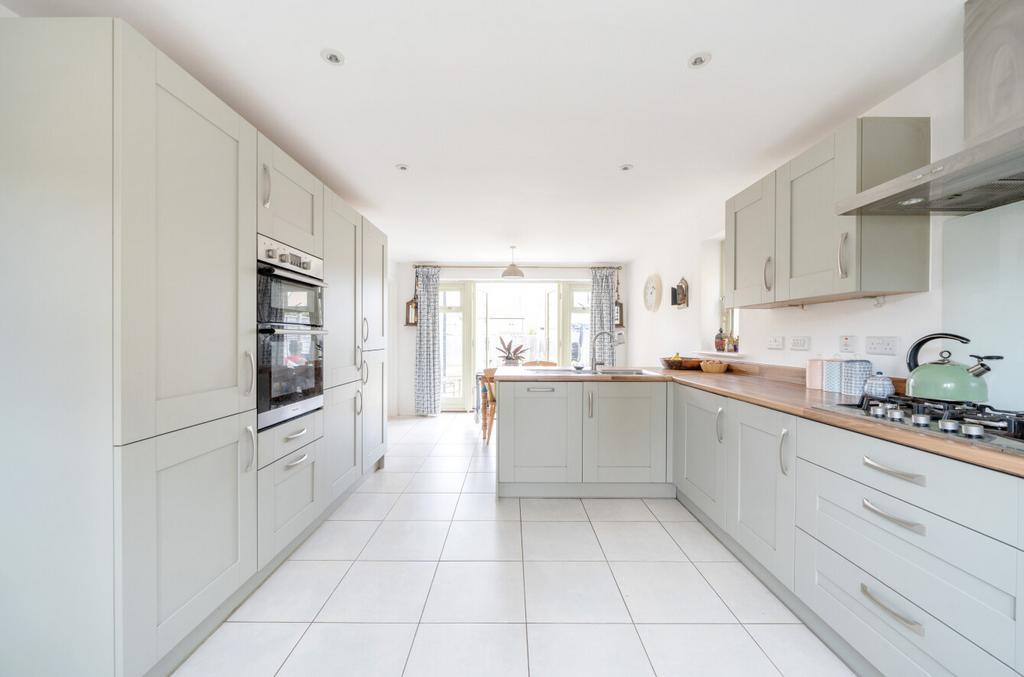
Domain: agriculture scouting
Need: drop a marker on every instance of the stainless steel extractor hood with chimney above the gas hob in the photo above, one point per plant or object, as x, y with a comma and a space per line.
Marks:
991, 172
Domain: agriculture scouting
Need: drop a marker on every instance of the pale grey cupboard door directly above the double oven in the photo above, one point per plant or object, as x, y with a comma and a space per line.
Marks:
291, 200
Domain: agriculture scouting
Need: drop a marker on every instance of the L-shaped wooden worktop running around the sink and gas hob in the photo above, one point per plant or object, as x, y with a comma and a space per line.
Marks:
795, 399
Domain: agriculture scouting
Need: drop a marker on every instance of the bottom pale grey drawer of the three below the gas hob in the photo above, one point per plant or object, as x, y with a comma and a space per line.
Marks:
895, 636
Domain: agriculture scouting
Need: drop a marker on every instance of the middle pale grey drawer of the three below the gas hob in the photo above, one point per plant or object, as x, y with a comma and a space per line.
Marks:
962, 578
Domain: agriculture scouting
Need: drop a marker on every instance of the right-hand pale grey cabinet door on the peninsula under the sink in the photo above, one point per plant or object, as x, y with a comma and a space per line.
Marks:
624, 433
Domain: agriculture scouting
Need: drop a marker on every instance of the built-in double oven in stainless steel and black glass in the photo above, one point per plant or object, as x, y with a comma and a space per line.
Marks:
290, 333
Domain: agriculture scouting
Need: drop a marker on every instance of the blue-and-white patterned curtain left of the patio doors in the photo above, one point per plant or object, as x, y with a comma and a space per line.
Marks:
429, 344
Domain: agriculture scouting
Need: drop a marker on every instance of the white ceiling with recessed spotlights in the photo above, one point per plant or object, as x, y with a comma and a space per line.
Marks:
515, 116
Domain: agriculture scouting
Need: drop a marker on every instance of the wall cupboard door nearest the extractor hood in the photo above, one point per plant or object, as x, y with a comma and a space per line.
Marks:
818, 250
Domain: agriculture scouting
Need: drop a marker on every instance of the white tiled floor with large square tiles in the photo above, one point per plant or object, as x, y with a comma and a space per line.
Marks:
424, 573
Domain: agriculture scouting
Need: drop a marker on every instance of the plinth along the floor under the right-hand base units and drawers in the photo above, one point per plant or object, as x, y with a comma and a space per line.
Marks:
833, 641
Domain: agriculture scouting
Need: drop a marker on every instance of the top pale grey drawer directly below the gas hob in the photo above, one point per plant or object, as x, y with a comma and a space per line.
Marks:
943, 486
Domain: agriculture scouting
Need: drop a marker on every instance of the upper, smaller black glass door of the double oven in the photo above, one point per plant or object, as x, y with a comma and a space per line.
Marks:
284, 298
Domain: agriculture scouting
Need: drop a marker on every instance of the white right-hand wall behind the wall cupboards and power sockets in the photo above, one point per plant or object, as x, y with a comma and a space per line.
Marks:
938, 95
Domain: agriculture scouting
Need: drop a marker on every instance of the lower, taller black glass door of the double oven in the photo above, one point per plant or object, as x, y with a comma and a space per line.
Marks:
290, 375
